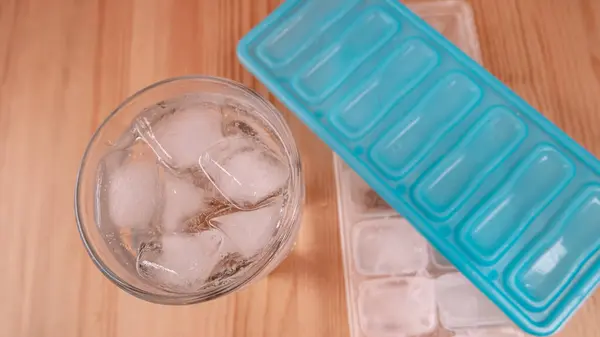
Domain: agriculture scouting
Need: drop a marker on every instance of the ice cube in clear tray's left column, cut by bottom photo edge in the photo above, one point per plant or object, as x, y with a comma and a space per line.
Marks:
397, 307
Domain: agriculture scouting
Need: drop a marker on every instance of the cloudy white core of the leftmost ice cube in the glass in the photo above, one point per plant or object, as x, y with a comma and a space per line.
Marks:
133, 194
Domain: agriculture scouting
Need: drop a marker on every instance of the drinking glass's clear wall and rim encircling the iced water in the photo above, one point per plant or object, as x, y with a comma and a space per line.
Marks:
110, 254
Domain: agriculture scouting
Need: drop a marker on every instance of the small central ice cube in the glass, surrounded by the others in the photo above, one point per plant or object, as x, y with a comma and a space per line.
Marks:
183, 200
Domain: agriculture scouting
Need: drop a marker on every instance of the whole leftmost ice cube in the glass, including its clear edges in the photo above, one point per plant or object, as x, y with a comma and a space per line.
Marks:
128, 189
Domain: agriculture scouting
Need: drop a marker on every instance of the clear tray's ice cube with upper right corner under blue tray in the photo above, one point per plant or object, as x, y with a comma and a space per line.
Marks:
388, 246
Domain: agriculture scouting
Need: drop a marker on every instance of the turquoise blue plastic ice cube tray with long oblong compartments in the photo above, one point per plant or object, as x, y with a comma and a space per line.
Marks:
500, 191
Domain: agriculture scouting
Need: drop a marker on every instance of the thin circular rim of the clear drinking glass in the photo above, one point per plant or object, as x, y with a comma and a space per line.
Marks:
174, 298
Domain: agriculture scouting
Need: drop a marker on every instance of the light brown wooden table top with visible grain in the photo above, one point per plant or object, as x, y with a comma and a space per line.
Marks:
64, 64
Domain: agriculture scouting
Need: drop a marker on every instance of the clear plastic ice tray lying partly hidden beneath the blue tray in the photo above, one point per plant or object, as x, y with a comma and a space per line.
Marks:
378, 244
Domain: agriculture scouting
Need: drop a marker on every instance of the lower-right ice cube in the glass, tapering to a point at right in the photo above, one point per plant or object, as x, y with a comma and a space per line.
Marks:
250, 231
